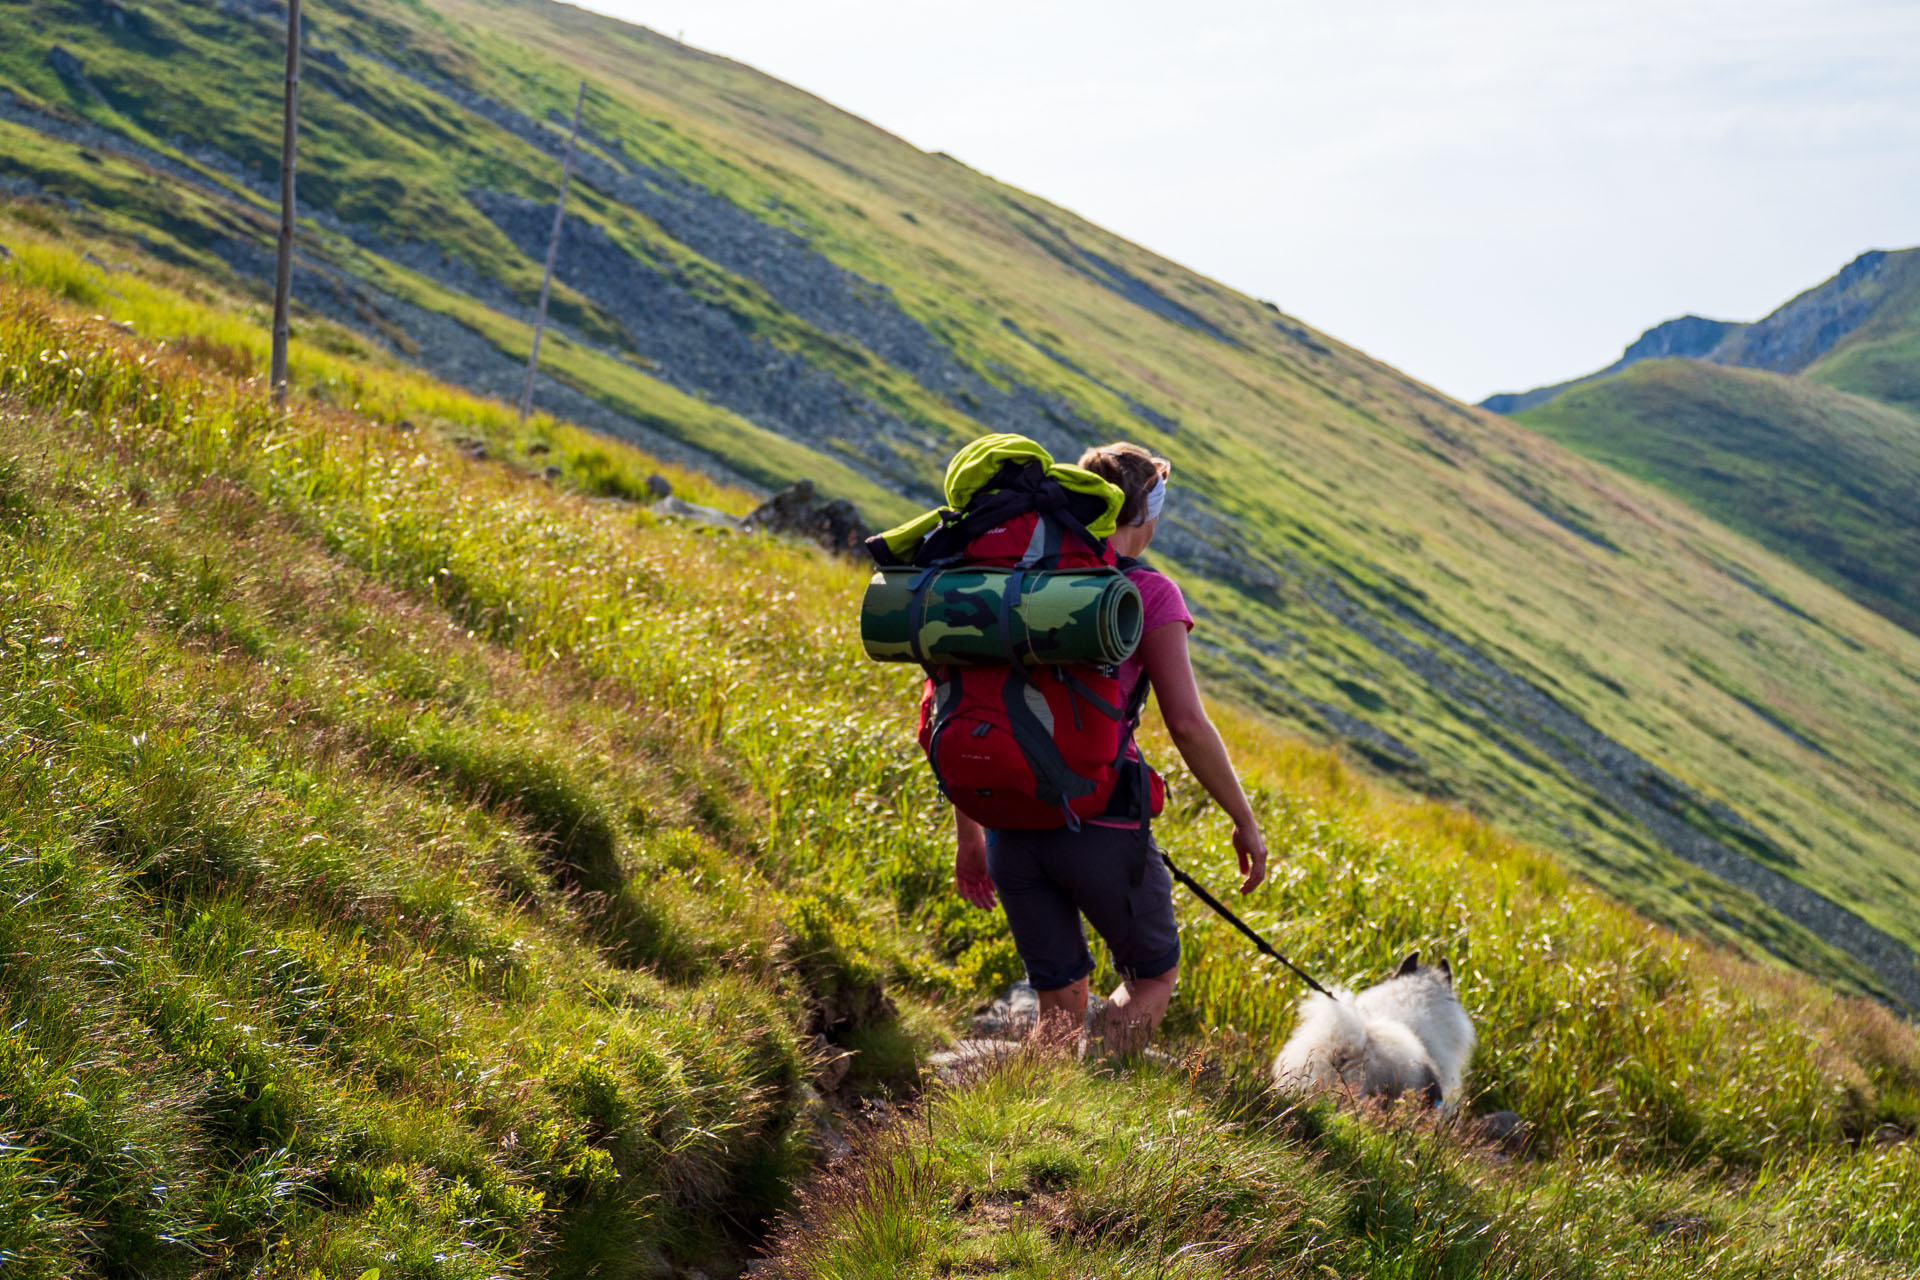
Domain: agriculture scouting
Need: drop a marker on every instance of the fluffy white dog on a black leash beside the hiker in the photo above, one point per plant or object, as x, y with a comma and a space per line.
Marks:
1406, 1035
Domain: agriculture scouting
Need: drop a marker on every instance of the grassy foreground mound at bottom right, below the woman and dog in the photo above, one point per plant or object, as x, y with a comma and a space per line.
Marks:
1044, 1168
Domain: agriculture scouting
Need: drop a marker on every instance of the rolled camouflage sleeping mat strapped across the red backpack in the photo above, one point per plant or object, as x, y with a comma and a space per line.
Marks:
984, 617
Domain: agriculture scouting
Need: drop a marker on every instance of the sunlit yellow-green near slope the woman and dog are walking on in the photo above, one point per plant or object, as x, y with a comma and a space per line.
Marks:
421, 865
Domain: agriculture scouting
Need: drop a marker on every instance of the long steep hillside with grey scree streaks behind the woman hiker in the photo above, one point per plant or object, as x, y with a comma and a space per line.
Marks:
765, 287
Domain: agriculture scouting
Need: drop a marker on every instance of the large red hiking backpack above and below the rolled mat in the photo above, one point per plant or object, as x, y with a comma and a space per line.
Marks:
1030, 747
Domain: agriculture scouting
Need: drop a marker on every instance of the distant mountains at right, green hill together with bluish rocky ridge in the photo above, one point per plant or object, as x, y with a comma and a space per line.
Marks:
1752, 433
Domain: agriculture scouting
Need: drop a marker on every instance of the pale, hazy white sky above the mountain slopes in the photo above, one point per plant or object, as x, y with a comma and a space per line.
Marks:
1491, 195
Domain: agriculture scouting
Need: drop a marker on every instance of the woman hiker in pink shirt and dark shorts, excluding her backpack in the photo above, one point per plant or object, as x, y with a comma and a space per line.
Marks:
1049, 880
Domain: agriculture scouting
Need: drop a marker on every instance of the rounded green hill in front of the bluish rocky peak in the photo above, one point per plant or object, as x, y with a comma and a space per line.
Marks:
1825, 479
